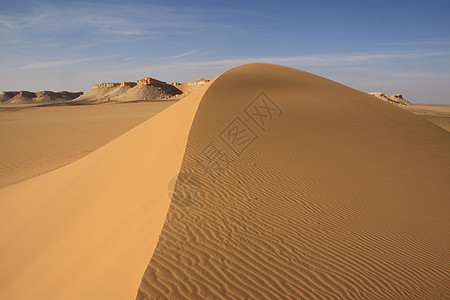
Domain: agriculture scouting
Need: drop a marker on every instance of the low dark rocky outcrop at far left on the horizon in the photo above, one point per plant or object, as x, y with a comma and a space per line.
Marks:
25, 97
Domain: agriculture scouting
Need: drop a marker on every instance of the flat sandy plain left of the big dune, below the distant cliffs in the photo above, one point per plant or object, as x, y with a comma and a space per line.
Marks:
35, 140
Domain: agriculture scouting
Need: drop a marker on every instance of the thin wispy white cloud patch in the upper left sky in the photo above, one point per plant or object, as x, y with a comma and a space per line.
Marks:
112, 19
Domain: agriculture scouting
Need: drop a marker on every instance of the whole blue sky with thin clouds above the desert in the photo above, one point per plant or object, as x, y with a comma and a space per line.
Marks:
388, 46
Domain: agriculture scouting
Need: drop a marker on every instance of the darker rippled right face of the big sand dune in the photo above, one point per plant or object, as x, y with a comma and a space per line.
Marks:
335, 196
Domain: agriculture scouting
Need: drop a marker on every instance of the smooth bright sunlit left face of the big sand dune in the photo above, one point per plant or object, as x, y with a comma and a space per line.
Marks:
87, 230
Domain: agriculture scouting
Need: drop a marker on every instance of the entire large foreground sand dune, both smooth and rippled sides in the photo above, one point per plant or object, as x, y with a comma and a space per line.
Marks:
290, 186
